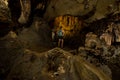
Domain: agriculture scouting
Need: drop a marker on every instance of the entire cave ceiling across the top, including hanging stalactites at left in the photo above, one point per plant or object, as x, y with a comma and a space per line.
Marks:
23, 11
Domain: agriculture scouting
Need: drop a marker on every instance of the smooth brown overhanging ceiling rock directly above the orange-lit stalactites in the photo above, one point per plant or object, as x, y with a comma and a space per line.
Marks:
58, 8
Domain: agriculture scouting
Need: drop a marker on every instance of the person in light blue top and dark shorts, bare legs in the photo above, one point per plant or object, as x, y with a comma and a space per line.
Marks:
60, 34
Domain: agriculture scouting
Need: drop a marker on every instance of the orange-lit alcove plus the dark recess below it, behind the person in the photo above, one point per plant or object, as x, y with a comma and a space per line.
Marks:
72, 26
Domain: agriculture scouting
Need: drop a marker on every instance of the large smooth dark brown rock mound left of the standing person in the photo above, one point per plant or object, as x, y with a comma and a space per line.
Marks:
37, 36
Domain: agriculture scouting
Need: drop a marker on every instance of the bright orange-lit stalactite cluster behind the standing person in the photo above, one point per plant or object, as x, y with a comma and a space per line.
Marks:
70, 24
